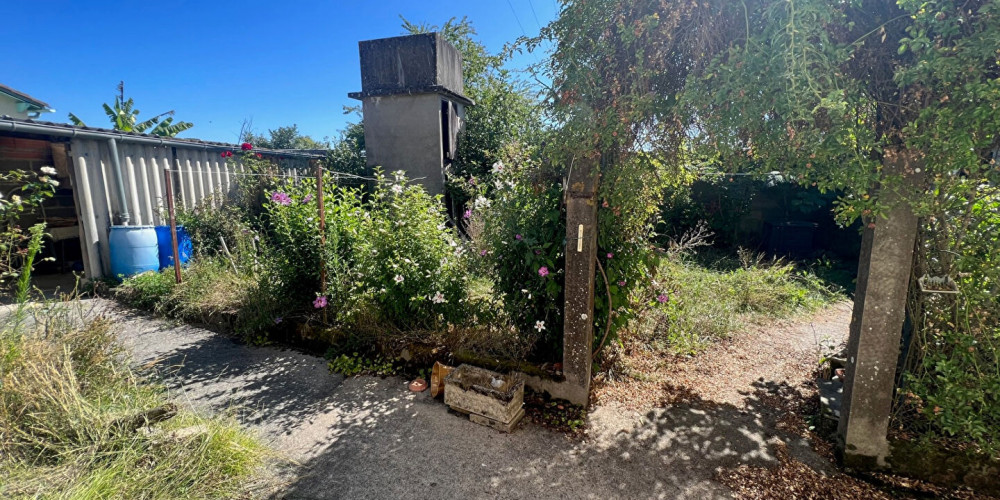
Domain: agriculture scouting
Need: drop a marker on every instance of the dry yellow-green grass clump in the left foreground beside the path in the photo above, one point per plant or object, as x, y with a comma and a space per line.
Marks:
67, 388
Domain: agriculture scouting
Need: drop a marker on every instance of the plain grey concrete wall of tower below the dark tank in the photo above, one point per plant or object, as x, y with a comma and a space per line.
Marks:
404, 133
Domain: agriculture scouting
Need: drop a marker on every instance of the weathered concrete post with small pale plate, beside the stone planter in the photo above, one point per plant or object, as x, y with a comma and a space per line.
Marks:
581, 257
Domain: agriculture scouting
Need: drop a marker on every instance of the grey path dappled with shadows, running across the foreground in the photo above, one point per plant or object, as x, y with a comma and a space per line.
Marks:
368, 437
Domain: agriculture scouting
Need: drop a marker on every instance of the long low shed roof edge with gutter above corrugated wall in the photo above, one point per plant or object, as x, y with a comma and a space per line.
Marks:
67, 130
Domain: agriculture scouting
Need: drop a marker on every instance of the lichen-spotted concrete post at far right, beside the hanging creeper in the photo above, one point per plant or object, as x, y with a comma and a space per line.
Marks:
877, 321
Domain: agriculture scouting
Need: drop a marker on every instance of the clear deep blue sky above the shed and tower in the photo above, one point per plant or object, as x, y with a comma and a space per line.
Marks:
216, 63
